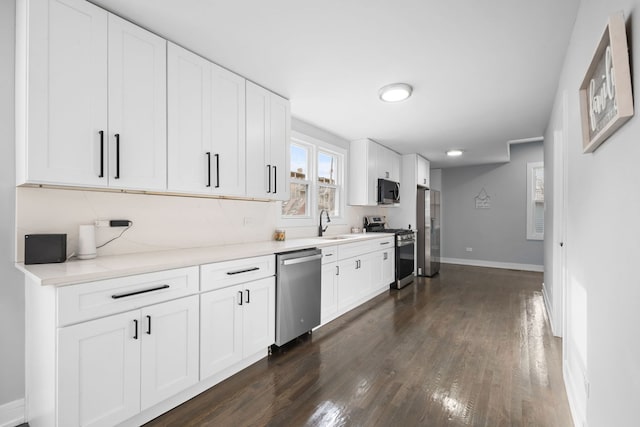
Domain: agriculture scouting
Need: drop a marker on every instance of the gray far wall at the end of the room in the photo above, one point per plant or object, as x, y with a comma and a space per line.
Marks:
498, 234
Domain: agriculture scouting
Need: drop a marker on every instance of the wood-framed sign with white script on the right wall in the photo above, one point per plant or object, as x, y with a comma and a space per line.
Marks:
606, 100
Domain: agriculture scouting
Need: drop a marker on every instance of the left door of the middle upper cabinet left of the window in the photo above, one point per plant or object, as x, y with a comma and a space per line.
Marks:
189, 121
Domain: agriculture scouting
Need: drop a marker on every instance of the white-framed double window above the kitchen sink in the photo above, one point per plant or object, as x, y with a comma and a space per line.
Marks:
317, 170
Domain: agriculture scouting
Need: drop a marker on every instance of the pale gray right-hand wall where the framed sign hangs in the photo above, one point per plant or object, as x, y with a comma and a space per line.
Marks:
602, 238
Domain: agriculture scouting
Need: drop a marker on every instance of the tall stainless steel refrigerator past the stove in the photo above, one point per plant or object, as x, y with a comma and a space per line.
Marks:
428, 244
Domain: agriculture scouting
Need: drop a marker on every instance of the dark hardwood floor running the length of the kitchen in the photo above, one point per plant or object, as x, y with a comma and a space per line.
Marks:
470, 347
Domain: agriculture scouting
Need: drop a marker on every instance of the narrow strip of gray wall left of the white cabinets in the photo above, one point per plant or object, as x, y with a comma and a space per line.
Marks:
11, 281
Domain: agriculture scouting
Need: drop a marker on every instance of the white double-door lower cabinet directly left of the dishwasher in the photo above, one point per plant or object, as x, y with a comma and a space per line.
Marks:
235, 323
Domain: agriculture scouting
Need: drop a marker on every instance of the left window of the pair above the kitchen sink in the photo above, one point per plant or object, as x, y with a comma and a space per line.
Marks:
298, 205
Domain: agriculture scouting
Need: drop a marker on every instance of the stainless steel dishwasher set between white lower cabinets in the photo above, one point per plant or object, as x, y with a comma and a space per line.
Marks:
297, 293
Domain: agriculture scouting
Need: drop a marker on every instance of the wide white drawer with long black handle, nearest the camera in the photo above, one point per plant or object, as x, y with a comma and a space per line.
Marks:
91, 300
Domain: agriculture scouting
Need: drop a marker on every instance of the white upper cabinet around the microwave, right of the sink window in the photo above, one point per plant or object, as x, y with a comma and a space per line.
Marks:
369, 161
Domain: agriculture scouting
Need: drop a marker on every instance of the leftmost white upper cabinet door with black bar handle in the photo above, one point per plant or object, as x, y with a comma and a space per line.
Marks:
67, 100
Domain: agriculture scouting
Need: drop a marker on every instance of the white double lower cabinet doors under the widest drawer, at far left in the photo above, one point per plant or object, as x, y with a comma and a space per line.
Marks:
111, 368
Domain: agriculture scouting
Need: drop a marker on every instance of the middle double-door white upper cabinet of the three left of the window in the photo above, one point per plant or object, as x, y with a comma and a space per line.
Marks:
206, 122
